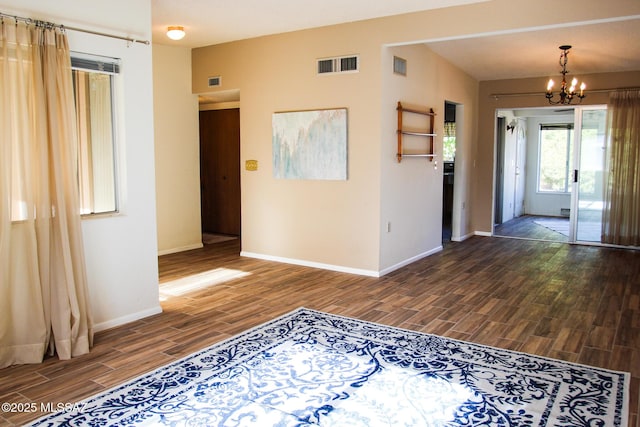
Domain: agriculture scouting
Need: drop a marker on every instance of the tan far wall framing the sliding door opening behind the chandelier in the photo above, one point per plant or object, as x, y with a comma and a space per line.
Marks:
485, 150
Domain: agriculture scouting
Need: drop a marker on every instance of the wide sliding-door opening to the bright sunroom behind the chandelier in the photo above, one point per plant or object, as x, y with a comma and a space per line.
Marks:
561, 177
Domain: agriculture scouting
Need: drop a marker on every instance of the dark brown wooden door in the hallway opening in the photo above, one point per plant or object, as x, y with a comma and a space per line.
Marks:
220, 171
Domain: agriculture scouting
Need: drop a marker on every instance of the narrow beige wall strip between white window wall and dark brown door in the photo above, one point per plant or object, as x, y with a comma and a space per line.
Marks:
177, 152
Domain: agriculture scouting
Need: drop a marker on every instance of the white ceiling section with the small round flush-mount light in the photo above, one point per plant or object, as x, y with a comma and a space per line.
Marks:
208, 22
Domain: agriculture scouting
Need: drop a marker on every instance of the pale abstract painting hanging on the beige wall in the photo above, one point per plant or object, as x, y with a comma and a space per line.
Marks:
310, 144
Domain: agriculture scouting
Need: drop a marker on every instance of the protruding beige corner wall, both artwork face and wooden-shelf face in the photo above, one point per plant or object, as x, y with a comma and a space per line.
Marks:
340, 224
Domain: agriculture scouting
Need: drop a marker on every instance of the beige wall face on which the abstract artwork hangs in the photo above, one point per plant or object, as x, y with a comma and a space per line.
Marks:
327, 223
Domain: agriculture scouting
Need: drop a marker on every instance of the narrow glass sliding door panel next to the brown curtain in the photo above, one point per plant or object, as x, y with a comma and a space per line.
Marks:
591, 175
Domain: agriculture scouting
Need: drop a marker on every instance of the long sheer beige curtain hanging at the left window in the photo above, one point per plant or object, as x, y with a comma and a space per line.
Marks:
44, 304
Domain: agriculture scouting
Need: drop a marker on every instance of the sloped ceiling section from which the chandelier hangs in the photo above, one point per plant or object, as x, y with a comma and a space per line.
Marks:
597, 47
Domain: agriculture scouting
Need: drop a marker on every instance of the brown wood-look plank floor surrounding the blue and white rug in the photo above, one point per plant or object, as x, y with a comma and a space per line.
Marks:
575, 303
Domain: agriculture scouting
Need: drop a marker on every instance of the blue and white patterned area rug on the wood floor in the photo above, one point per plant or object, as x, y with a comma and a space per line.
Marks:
309, 368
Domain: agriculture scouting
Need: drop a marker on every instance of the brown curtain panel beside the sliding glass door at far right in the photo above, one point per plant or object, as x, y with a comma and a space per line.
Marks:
621, 217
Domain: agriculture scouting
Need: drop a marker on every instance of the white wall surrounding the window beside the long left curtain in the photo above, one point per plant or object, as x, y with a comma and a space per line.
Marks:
120, 250
